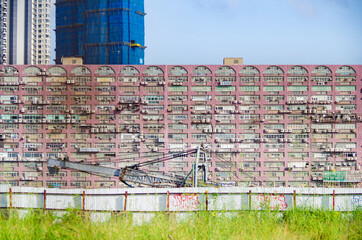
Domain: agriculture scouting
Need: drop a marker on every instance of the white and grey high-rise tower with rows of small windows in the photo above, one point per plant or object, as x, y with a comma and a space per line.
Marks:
25, 31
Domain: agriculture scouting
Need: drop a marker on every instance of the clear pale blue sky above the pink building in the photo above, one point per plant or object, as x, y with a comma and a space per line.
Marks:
261, 31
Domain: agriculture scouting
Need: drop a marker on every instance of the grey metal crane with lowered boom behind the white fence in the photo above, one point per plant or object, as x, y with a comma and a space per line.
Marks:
133, 174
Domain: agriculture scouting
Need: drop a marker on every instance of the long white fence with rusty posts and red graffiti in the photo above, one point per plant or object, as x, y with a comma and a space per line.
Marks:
180, 199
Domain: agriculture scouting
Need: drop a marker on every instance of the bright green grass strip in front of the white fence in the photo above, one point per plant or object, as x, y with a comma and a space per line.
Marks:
295, 224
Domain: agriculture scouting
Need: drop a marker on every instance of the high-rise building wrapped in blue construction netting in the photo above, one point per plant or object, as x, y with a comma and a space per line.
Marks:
100, 31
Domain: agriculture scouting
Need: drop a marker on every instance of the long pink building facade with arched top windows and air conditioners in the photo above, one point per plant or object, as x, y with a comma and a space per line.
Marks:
261, 125
